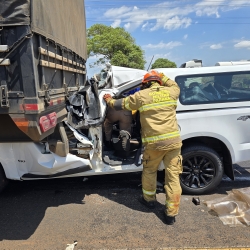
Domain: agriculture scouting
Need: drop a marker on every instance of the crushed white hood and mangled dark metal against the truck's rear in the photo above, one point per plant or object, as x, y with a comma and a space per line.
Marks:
86, 108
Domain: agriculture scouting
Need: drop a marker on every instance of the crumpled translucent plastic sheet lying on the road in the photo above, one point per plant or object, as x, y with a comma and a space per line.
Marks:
234, 209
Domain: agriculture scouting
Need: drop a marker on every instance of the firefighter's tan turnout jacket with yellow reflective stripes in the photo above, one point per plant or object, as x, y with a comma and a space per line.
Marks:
157, 107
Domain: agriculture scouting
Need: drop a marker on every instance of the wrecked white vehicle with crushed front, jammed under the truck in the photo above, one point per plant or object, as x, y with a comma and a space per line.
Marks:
213, 115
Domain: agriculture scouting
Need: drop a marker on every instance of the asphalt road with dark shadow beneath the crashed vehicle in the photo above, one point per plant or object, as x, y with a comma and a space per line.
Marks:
102, 212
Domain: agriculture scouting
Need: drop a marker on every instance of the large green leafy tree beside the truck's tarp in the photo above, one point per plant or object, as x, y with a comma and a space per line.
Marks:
114, 45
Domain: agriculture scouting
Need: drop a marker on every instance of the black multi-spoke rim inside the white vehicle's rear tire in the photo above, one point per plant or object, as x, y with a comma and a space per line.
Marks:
198, 171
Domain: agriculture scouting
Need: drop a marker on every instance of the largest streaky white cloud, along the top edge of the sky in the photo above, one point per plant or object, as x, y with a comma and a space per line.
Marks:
170, 15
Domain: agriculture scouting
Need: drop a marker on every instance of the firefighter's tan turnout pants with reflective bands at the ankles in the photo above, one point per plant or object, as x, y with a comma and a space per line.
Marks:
172, 160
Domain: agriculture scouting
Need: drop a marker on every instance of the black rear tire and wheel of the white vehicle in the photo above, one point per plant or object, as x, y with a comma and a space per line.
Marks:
202, 170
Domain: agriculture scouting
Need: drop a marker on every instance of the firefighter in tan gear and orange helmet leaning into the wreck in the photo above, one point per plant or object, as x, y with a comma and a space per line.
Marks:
156, 102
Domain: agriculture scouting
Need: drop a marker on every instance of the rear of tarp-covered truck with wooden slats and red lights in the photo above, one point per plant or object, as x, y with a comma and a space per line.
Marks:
42, 62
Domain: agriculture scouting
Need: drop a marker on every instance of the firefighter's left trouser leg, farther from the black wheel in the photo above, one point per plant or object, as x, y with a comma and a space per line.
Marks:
151, 161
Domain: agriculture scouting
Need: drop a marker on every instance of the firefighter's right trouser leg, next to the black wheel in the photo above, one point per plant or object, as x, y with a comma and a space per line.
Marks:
173, 169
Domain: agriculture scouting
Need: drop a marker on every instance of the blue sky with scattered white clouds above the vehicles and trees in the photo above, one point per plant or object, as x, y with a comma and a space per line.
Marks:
179, 30
